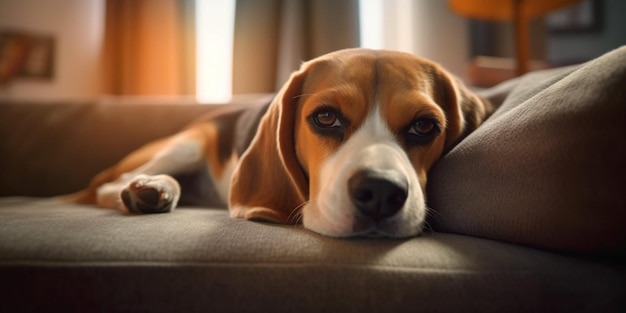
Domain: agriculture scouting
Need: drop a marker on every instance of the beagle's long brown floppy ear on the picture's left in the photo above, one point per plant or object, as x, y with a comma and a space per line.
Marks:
269, 183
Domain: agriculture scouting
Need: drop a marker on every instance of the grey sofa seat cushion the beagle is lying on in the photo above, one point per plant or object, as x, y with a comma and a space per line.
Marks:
81, 258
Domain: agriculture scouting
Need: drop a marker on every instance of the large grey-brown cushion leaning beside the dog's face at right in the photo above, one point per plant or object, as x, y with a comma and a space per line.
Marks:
548, 168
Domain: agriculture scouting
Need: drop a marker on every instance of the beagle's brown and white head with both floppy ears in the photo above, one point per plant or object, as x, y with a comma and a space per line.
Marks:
346, 145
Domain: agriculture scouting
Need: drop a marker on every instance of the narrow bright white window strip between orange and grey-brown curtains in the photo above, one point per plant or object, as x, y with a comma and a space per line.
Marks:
215, 22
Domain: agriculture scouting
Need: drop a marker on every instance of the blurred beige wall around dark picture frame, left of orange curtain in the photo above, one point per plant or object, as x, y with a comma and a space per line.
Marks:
76, 26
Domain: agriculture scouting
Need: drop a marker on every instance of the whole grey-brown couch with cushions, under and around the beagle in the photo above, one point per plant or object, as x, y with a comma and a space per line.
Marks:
527, 214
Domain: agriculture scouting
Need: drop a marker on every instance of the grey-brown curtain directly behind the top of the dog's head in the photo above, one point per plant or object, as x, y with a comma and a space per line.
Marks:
273, 37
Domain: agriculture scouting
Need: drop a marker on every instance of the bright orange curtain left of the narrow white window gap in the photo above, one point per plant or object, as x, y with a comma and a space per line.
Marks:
149, 48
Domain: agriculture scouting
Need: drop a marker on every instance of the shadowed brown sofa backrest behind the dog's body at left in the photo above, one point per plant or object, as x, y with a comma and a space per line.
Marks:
50, 149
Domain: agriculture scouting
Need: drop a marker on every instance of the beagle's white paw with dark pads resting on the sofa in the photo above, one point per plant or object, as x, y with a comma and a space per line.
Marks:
151, 194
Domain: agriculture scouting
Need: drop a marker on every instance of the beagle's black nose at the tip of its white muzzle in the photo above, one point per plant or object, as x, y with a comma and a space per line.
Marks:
378, 194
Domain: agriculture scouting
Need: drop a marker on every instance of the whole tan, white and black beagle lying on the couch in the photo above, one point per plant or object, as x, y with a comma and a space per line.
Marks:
344, 148
